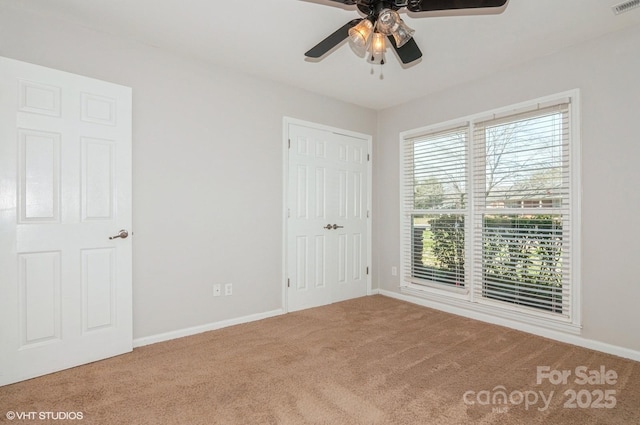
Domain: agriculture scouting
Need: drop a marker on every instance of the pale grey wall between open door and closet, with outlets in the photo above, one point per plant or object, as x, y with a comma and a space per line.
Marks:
207, 173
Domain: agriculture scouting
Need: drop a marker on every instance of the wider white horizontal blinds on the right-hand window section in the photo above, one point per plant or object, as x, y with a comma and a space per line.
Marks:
522, 208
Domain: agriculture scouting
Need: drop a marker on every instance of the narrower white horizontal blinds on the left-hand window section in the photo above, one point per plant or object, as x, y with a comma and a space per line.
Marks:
436, 197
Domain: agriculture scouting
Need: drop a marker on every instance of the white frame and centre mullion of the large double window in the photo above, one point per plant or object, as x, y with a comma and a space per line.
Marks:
463, 298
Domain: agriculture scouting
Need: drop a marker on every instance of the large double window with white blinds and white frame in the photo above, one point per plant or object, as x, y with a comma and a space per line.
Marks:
490, 211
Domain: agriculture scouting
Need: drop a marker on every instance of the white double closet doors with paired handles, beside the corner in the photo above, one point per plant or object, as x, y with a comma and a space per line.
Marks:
327, 227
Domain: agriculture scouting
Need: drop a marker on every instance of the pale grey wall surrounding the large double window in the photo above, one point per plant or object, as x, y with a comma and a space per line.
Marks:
606, 71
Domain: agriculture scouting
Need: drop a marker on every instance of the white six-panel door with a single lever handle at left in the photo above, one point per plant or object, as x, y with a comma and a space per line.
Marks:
65, 188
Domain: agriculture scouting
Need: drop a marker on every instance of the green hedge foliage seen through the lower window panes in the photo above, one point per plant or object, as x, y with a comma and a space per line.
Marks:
522, 256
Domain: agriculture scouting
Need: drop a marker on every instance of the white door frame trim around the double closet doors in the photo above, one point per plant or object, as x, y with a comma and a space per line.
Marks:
286, 122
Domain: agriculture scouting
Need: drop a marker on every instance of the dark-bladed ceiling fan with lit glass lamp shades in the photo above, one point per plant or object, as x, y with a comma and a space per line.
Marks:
382, 21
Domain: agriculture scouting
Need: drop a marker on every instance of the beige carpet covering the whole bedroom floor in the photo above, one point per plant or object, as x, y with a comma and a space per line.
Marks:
372, 360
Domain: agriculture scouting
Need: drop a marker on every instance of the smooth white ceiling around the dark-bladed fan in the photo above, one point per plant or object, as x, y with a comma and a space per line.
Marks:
268, 38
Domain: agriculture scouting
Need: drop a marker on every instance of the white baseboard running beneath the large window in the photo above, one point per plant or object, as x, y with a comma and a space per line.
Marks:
546, 333
